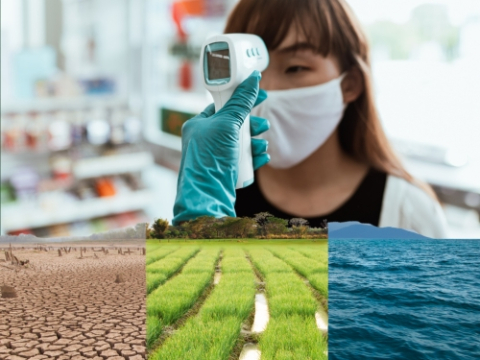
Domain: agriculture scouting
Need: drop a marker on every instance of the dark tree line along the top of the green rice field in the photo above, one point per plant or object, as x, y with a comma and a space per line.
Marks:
263, 226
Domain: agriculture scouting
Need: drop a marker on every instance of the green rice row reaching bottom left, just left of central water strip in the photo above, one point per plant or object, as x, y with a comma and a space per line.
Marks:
213, 332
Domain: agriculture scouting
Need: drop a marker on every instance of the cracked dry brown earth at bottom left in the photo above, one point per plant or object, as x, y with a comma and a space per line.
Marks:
72, 308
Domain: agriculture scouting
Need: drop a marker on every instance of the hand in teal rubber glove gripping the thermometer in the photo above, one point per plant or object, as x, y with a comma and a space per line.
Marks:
210, 153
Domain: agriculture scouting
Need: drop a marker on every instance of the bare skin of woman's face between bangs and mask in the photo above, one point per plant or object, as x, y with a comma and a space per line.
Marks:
295, 64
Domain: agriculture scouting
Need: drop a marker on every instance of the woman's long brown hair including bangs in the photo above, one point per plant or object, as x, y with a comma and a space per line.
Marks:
332, 28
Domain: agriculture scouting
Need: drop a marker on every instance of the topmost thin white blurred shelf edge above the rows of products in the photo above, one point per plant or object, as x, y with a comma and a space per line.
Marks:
55, 104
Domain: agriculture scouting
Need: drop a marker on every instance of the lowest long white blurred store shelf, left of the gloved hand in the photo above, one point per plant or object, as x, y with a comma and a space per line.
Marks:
19, 216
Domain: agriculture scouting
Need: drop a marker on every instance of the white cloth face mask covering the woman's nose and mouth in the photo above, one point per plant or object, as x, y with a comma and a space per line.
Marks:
301, 120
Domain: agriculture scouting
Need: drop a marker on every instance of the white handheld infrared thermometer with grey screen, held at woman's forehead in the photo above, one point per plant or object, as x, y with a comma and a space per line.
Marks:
227, 60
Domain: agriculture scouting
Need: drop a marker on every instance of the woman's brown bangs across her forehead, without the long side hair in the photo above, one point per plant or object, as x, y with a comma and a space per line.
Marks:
272, 20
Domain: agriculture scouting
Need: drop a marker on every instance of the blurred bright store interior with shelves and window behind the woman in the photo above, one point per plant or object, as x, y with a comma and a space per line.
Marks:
94, 93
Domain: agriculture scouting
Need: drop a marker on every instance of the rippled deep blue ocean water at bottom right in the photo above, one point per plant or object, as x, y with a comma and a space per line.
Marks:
404, 299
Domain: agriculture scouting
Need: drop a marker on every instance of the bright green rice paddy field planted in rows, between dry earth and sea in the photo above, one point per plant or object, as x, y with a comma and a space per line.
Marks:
212, 331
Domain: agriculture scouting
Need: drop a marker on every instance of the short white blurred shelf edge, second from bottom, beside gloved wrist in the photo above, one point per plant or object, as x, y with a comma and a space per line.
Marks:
111, 165
